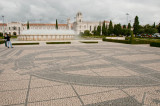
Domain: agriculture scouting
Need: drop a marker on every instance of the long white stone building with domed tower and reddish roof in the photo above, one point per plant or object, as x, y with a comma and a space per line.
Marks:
15, 28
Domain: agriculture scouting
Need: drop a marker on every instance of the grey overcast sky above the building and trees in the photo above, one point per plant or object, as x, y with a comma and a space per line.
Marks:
47, 11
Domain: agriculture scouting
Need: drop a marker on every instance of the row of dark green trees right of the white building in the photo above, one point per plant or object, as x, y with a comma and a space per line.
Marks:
119, 29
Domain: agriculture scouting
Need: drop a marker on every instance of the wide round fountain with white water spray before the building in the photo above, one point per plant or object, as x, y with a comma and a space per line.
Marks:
46, 35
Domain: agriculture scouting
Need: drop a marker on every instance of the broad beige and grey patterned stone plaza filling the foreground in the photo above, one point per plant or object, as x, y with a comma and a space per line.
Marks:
104, 74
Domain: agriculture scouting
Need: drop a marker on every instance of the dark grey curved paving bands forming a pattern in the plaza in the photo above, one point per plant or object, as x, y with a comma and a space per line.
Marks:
57, 71
